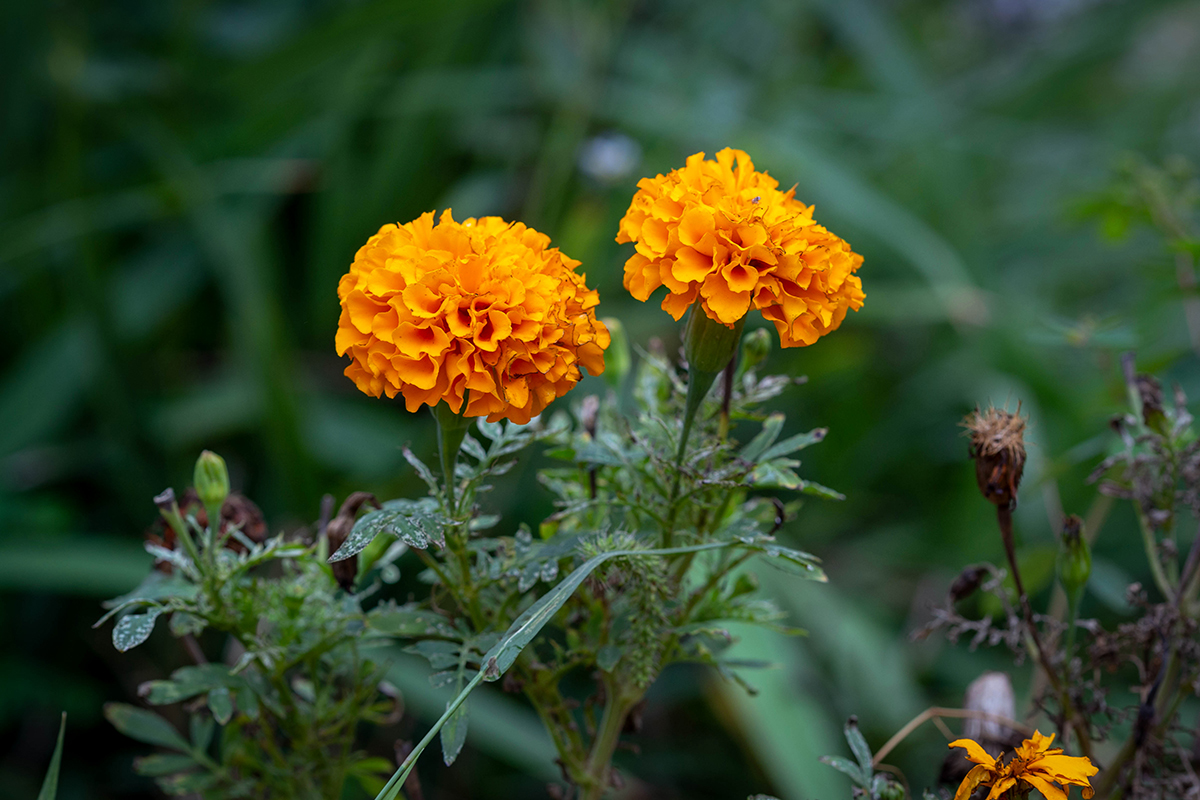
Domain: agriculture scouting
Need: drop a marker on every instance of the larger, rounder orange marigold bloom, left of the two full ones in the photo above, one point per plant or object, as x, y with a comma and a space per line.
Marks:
483, 306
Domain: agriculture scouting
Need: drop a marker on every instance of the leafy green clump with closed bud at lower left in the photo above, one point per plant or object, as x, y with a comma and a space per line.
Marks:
278, 715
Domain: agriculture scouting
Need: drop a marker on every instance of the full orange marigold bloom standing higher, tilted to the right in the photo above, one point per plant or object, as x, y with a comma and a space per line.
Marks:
725, 236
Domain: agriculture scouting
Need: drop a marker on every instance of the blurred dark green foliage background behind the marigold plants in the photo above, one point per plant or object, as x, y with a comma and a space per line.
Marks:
183, 184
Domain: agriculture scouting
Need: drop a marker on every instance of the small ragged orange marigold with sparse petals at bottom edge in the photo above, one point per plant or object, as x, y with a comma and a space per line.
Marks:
1034, 766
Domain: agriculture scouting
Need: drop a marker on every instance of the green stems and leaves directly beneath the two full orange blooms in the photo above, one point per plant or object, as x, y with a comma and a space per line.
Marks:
652, 549
